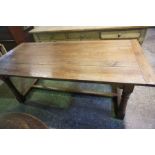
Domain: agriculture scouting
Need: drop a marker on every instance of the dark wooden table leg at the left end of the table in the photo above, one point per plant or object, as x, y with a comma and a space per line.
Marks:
14, 90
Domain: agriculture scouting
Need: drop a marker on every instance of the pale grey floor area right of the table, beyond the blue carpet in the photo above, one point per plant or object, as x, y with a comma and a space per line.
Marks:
141, 106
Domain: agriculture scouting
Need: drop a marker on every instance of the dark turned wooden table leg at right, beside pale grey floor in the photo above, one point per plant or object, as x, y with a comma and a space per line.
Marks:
121, 109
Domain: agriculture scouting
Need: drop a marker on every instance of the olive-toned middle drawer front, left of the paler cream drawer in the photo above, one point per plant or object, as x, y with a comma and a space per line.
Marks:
83, 35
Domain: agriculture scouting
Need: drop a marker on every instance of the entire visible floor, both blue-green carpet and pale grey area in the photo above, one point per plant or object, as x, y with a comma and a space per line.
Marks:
65, 110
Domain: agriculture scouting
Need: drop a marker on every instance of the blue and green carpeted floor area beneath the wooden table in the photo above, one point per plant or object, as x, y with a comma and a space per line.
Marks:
64, 110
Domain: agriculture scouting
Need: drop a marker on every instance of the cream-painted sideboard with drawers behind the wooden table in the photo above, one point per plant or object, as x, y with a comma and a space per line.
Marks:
58, 33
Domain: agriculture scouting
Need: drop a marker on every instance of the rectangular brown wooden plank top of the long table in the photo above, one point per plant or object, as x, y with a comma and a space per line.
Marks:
107, 61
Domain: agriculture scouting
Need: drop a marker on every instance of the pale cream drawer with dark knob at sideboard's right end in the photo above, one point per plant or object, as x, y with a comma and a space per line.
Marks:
120, 34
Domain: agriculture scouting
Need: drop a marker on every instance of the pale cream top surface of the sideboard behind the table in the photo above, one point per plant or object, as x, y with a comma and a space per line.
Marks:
41, 29
